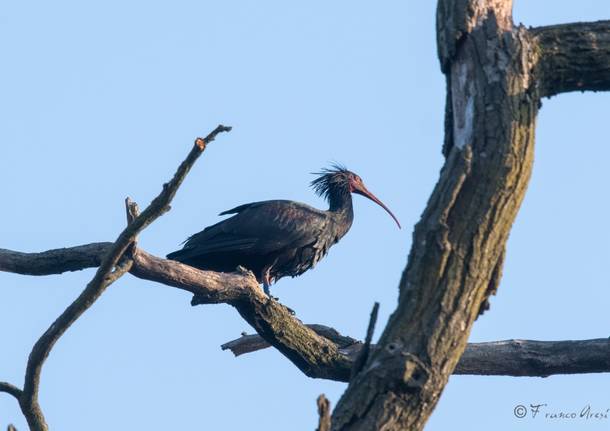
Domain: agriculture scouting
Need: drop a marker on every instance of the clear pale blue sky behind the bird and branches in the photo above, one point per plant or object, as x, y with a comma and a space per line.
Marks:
102, 101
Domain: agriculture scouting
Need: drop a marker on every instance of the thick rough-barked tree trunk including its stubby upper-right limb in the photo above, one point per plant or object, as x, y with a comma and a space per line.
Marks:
496, 74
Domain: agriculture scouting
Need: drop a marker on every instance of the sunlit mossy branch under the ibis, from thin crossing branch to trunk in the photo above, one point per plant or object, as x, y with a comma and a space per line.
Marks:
313, 354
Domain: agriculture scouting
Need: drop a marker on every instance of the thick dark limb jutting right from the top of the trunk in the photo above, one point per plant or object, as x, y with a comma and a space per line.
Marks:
573, 57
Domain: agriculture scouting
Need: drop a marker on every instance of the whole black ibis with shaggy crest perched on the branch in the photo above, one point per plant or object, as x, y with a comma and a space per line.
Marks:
278, 238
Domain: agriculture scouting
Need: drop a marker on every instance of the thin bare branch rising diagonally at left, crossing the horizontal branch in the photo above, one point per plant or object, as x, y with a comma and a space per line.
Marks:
108, 271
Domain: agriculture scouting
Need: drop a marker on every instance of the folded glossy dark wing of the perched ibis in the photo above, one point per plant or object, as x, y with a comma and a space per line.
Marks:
257, 228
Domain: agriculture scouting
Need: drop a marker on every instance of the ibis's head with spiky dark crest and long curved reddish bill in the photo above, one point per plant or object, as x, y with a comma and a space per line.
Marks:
336, 183
